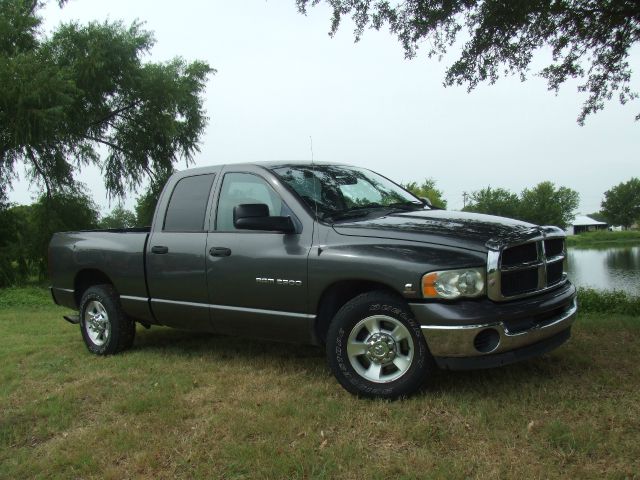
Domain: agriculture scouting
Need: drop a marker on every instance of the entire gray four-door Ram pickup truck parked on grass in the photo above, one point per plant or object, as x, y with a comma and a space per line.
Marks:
323, 254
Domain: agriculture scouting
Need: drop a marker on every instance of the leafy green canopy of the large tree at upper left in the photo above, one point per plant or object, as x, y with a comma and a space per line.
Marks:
85, 96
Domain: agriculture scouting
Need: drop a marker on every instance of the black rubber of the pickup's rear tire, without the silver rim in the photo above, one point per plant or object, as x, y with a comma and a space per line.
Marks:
108, 298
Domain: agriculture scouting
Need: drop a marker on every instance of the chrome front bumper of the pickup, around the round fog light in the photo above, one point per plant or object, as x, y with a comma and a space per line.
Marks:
460, 340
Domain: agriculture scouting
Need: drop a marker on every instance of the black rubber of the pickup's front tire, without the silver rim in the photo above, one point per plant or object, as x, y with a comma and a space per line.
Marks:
348, 316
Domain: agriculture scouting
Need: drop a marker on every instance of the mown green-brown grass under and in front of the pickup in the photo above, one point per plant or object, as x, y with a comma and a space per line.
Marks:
185, 405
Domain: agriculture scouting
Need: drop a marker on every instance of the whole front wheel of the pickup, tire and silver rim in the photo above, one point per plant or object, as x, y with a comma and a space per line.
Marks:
375, 348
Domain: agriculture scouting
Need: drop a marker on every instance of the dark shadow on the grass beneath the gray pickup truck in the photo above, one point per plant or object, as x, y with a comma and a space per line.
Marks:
555, 368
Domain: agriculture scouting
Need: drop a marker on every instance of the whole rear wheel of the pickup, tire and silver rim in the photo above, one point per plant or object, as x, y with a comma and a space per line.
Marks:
105, 328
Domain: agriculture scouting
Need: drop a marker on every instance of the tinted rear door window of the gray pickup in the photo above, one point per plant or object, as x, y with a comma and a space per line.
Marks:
188, 204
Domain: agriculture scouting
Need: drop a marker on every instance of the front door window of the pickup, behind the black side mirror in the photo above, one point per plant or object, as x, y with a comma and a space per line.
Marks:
239, 188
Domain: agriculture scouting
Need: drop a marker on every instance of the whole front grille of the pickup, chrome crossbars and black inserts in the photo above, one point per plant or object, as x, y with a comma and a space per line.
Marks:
526, 269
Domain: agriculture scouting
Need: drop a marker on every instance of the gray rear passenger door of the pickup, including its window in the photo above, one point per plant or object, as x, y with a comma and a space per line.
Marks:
176, 254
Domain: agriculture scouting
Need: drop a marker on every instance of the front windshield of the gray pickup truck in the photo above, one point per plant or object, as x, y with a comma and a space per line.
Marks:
340, 192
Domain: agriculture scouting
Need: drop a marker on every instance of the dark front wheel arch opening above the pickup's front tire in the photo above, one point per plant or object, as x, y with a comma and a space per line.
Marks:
339, 293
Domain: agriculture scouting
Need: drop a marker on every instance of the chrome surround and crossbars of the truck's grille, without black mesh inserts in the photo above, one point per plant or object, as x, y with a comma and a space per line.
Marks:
495, 269
